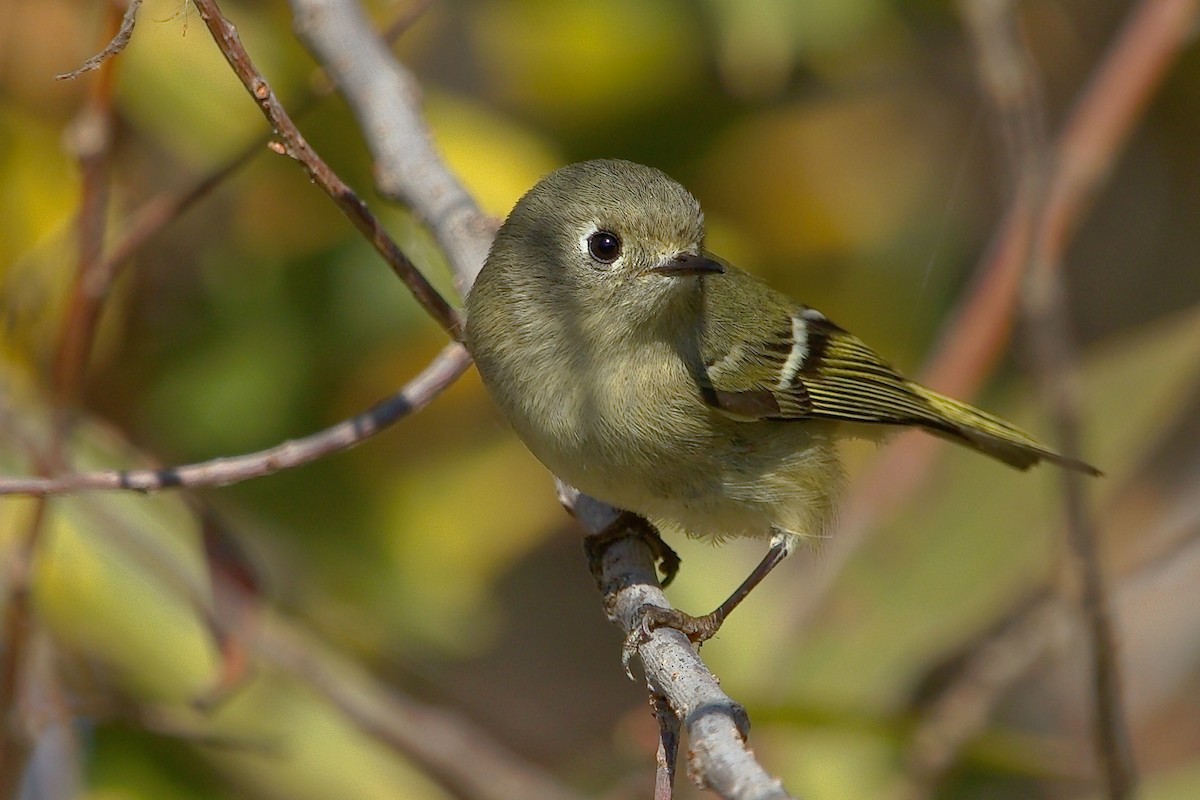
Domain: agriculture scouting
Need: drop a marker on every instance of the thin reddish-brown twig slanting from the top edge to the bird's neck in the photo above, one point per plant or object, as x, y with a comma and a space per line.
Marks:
295, 146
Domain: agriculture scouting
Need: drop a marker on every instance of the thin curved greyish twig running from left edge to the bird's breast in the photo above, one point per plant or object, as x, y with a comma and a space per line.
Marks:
443, 371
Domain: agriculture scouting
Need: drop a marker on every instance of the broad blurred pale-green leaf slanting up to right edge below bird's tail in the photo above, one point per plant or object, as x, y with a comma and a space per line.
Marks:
958, 555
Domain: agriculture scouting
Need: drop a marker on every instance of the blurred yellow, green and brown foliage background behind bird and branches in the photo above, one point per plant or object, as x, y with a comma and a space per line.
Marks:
843, 149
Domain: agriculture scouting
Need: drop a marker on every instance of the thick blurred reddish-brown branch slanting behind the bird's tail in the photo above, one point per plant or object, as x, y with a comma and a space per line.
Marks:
975, 336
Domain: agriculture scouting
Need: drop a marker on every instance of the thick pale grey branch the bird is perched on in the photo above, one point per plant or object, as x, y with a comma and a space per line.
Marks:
385, 98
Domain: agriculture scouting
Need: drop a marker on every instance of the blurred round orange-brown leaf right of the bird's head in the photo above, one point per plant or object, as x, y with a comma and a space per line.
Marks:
807, 181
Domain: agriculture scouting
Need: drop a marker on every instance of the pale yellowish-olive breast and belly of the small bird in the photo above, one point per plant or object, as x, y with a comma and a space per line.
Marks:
613, 434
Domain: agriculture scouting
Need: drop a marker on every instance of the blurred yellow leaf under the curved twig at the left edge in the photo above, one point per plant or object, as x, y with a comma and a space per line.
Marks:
118, 576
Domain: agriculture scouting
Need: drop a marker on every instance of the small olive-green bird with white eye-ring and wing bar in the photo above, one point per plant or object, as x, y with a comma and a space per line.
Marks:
650, 375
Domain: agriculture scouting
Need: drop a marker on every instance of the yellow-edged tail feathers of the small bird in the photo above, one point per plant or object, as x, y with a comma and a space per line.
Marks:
989, 435
